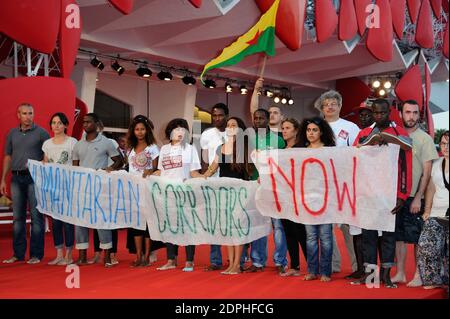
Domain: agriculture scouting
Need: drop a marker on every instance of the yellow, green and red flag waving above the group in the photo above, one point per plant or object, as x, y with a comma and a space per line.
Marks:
260, 38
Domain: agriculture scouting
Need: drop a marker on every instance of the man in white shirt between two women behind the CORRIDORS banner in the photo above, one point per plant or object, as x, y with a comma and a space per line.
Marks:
210, 140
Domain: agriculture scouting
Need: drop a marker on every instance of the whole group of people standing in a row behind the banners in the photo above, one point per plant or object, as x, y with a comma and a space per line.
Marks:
421, 208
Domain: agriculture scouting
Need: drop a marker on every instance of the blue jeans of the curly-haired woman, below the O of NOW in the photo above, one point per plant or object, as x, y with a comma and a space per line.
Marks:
324, 234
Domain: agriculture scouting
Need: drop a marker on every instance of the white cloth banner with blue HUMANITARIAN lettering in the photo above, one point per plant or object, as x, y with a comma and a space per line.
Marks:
89, 198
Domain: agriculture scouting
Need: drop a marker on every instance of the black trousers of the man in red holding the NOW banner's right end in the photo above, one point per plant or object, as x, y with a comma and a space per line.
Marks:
370, 247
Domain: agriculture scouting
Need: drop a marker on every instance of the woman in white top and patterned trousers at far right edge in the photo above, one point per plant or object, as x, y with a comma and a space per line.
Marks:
432, 252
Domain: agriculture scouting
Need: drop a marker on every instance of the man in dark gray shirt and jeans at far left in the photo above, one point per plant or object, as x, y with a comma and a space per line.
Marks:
24, 143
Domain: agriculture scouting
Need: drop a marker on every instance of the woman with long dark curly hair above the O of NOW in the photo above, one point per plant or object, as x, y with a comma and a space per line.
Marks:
317, 133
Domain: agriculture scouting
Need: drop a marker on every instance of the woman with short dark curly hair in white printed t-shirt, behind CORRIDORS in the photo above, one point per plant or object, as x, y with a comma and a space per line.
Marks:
178, 160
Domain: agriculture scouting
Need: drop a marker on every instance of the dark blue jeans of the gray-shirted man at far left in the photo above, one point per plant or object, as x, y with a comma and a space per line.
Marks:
22, 191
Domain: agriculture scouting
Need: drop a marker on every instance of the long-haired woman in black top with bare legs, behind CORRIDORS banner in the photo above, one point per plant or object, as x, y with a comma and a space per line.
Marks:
232, 159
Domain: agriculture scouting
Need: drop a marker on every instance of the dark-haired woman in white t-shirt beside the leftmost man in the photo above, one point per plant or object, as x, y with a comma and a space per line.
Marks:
58, 150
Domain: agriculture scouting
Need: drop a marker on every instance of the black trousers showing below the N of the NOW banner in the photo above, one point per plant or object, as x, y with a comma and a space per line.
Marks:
295, 234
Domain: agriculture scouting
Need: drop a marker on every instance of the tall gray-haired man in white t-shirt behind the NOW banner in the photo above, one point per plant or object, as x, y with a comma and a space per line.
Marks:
345, 132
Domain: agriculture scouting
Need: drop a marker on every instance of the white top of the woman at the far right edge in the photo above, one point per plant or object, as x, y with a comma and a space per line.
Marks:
441, 196
